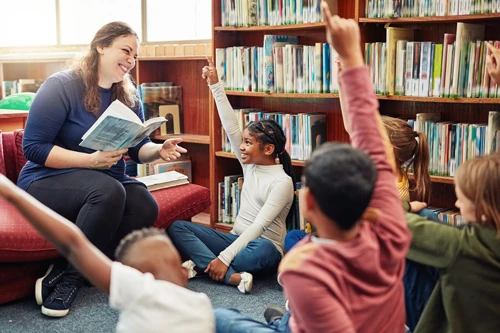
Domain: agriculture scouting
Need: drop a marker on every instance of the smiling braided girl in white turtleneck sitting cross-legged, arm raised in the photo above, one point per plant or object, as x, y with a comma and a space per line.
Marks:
255, 244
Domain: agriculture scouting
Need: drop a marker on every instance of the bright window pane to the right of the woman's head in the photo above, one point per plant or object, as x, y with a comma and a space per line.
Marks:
178, 20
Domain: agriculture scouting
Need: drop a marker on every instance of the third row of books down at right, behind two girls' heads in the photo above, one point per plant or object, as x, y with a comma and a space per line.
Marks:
452, 143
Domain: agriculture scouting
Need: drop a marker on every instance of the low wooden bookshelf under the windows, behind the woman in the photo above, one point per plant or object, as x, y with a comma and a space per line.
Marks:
183, 71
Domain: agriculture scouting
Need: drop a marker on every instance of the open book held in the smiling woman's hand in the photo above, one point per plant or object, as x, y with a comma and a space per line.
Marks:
118, 128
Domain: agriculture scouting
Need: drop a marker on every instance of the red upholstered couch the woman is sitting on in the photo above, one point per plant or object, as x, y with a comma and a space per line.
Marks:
24, 254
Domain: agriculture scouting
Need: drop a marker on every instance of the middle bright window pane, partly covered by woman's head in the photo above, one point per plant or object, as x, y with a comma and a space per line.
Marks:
80, 20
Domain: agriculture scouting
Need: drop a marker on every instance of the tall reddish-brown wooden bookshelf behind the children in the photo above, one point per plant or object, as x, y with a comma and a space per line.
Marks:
372, 30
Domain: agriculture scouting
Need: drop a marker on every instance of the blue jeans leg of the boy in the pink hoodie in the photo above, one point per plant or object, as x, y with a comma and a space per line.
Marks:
232, 321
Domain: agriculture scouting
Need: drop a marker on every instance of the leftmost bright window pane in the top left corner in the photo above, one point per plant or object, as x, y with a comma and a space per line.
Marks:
28, 23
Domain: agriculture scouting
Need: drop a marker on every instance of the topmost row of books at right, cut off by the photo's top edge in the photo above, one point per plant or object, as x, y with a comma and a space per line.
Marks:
413, 8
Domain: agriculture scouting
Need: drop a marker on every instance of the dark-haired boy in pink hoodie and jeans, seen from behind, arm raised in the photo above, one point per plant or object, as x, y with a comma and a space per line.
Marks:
348, 277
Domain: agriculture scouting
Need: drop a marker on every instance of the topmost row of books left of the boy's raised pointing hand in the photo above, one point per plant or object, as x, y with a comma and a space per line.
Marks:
247, 13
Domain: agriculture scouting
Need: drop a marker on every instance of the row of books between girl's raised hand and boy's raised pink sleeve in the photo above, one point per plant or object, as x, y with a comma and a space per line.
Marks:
280, 66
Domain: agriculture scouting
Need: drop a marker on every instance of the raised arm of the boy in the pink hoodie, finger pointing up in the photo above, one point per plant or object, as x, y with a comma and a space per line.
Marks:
366, 129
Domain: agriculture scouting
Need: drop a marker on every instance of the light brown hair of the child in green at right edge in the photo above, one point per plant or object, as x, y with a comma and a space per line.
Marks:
479, 181
